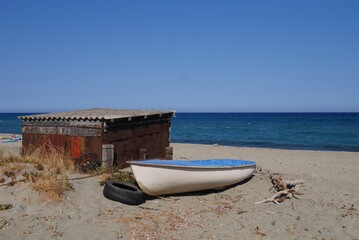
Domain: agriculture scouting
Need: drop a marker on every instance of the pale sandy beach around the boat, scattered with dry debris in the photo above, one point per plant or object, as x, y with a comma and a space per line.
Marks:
327, 210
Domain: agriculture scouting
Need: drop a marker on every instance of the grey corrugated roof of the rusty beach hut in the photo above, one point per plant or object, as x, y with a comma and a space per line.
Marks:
95, 114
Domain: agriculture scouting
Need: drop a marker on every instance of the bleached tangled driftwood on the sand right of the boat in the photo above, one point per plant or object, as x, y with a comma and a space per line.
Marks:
285, 189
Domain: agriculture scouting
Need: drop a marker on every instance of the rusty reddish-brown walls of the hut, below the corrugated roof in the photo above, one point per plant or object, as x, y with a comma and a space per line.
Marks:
77, 138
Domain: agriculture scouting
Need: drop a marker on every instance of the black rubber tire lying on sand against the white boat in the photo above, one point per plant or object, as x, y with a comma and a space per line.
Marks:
123, 192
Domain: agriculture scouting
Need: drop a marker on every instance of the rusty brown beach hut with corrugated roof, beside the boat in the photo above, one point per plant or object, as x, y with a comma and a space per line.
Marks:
113, 135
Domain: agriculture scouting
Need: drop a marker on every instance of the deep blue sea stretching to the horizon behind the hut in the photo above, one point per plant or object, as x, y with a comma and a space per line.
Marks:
307, 131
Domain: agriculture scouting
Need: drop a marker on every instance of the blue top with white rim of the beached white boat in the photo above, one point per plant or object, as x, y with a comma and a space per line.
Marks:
209, 163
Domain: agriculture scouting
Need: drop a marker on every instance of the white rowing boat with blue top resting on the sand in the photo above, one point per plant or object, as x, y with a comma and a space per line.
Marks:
163, 177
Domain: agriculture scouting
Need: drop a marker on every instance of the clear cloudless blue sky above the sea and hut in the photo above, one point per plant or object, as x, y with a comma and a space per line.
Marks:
241, 56
